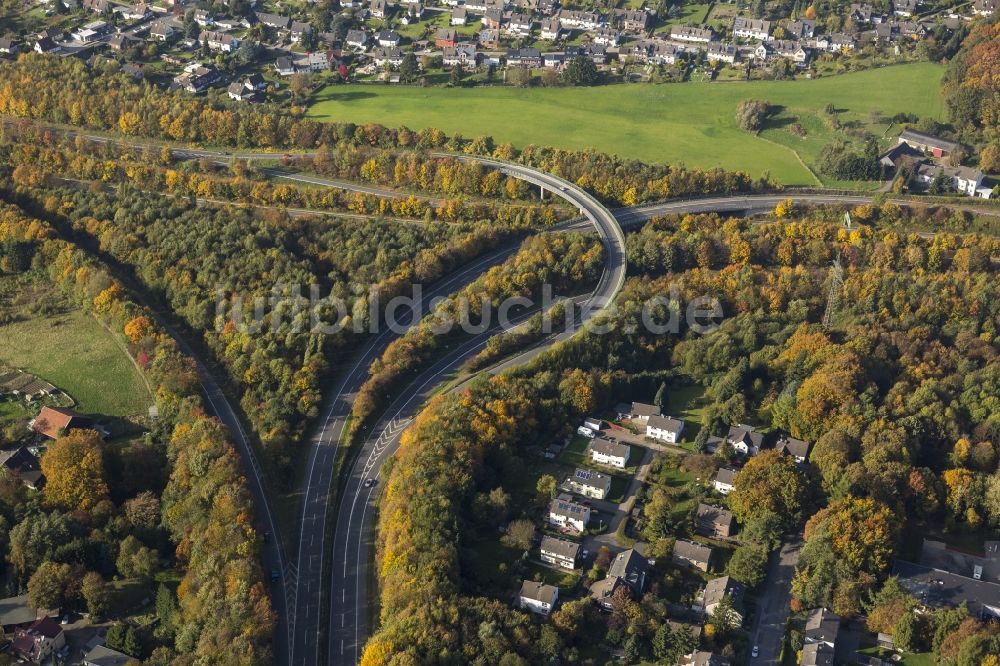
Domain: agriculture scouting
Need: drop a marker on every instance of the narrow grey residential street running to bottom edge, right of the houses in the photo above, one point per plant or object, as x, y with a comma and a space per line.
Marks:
772, 604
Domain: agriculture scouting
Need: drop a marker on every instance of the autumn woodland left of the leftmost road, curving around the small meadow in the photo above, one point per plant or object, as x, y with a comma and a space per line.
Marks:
109, 511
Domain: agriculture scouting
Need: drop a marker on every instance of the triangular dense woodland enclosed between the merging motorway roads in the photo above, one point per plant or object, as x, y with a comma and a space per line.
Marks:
208, 262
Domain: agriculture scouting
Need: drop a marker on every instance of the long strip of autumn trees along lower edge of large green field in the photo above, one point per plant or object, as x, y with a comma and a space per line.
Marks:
54, 89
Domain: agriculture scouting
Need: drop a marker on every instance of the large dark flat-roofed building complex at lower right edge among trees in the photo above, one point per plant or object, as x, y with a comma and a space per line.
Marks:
946, 578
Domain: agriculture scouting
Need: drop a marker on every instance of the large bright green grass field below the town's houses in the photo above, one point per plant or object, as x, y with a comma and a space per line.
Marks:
689, 123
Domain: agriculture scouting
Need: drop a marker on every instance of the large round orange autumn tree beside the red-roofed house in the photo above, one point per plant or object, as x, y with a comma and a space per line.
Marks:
74, 471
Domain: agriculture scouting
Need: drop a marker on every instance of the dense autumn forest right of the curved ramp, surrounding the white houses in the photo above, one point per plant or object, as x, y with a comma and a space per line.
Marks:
899, 391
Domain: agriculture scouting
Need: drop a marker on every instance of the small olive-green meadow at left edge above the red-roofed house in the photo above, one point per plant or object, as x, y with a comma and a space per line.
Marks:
75, 353
